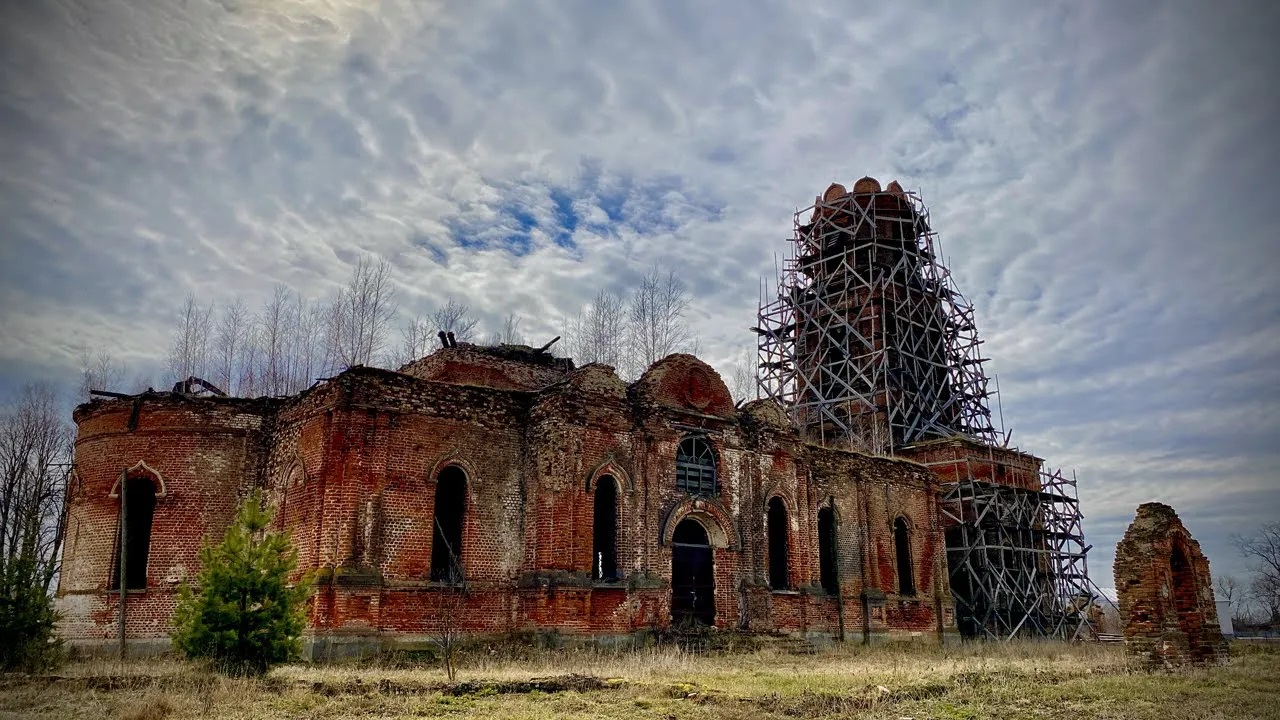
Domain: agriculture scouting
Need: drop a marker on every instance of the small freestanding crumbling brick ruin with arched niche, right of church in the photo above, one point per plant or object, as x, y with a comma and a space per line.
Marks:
1167, 594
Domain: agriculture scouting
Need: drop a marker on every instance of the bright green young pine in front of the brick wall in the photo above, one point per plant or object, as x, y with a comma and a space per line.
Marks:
244, 616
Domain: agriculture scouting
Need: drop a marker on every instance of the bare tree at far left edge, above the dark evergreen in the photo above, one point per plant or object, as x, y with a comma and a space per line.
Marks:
35, 455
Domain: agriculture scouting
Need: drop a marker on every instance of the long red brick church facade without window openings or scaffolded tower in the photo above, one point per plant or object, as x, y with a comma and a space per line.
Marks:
353, 468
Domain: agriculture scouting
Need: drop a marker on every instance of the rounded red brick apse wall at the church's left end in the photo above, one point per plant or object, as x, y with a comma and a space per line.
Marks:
202, 455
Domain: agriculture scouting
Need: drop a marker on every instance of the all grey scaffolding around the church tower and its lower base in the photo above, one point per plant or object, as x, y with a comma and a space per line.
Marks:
870, 345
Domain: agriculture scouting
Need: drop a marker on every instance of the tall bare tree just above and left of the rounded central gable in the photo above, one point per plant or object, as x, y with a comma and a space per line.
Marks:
657, 320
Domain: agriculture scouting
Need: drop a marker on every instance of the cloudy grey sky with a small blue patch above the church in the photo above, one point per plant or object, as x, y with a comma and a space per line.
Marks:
1103, 176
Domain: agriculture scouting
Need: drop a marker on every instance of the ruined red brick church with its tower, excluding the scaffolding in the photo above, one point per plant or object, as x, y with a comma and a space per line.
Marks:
561, 498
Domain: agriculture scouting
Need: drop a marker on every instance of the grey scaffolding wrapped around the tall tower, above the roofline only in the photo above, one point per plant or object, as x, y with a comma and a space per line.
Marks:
868, 343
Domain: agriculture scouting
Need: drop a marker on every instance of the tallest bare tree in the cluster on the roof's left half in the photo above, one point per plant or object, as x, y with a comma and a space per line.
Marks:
360, 315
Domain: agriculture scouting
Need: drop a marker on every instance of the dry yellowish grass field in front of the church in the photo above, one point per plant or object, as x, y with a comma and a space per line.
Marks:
956, 682
